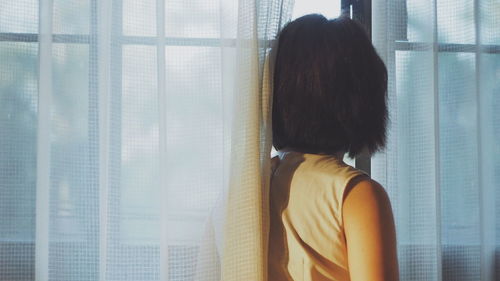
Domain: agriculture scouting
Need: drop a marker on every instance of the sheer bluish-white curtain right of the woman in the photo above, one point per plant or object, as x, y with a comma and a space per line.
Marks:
442, 163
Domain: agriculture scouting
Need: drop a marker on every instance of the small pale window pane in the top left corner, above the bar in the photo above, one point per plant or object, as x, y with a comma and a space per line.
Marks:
19, 16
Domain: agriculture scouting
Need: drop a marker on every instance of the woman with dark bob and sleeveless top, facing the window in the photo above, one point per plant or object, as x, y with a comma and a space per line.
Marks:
329, 221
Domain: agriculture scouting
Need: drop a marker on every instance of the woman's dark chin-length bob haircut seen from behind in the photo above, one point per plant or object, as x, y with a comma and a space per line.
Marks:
330, 88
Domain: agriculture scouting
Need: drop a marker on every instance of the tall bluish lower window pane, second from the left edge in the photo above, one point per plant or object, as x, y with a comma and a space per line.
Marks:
73, 248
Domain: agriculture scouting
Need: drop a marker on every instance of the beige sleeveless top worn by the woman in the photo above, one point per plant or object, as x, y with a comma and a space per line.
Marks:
307, 241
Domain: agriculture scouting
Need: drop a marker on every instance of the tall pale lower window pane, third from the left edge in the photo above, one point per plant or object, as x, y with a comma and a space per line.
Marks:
134, 191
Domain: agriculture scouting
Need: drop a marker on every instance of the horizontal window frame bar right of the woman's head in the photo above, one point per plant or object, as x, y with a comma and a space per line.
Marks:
445, 47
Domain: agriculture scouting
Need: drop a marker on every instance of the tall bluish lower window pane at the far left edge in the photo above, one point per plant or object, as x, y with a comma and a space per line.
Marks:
18, 127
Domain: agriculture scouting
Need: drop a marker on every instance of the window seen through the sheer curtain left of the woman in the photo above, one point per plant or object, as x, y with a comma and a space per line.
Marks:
74, 135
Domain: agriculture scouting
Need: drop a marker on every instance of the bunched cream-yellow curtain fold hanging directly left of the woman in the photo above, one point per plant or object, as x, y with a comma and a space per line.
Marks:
243, 252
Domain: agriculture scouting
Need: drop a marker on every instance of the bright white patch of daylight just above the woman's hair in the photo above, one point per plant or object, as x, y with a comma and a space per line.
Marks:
329, 8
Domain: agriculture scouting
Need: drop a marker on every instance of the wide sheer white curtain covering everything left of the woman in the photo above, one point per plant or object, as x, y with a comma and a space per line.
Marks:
122, 123
